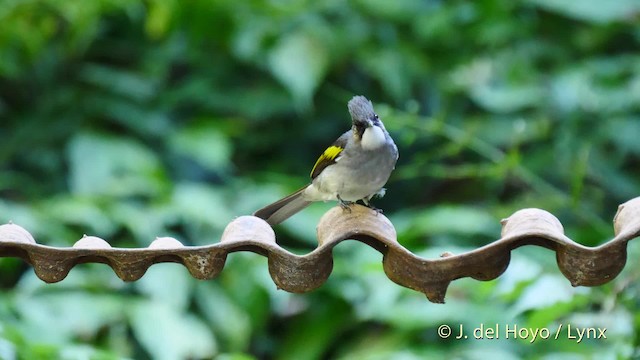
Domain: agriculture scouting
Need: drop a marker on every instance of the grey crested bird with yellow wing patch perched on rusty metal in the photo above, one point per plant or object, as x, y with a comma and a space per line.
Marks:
355, 167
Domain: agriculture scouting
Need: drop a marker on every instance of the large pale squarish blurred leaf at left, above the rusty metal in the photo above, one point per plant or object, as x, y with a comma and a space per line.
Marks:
105, 165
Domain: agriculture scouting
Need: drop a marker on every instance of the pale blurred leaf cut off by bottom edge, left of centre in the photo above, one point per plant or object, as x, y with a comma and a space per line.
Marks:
168, 333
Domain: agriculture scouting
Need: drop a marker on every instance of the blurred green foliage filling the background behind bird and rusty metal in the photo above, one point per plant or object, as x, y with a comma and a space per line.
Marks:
130, 120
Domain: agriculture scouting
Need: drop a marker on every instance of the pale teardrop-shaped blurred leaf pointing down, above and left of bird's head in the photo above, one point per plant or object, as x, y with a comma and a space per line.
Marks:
299, 61
